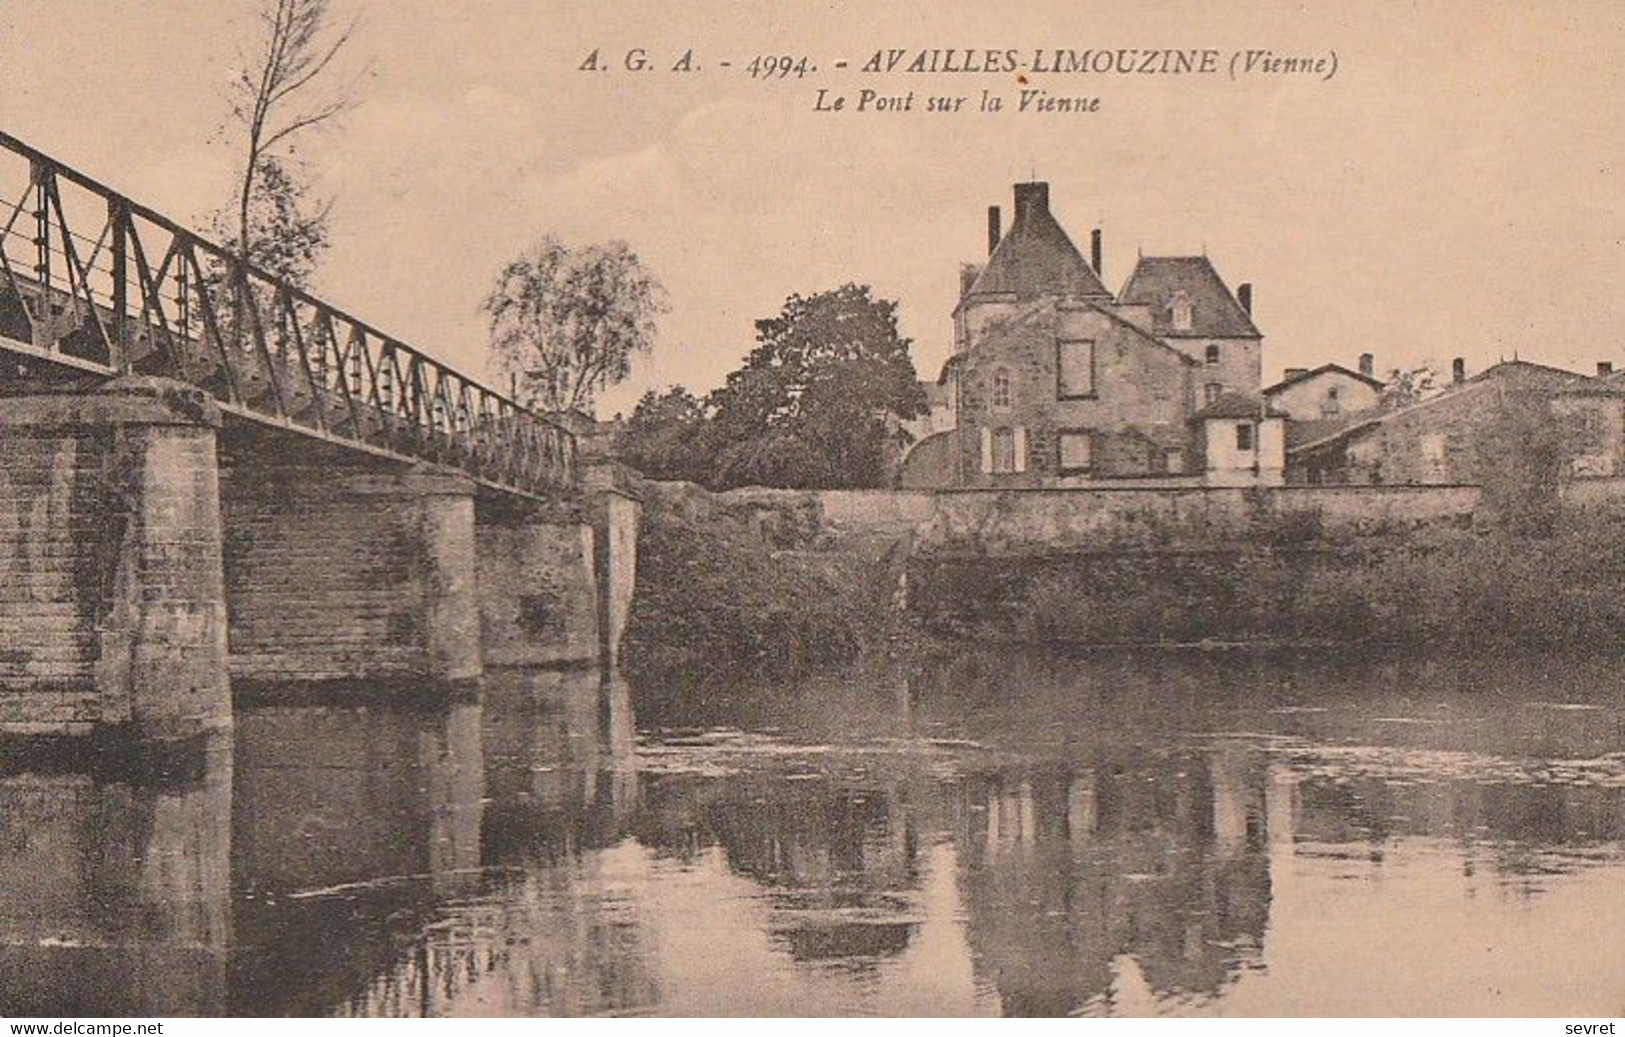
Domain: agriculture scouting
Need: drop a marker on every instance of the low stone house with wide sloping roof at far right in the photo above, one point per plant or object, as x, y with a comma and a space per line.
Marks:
1457, 436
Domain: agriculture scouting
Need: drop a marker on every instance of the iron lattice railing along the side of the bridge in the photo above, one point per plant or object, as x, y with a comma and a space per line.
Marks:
118, 289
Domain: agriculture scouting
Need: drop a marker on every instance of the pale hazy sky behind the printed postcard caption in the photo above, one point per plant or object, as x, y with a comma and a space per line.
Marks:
1454, 191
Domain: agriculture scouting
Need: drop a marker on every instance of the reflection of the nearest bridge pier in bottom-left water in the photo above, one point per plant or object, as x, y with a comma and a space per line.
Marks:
115, 887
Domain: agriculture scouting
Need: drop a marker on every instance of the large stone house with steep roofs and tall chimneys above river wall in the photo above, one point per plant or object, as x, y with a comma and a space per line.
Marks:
1059, 383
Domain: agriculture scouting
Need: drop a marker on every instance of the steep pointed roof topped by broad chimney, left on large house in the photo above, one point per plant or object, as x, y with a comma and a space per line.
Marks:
1036, 258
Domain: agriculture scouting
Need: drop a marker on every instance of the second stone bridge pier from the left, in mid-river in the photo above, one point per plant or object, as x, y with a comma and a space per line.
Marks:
347, 576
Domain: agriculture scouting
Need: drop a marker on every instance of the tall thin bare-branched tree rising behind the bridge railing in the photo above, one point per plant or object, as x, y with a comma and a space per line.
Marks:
282, 89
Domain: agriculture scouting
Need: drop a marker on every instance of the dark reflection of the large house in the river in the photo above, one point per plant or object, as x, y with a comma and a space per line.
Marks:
1155, 856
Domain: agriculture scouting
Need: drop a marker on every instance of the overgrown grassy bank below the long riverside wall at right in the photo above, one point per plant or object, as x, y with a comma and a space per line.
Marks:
1441, 589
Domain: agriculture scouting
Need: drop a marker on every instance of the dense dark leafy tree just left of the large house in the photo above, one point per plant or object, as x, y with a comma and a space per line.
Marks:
818, 402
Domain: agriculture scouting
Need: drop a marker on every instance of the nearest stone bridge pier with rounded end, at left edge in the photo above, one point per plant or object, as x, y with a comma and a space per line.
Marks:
111, 584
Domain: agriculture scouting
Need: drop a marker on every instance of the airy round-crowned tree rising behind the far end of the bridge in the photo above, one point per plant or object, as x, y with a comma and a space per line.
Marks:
566, 323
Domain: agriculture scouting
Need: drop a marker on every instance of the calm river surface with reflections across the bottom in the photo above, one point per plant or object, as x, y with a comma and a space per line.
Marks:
990, 835
